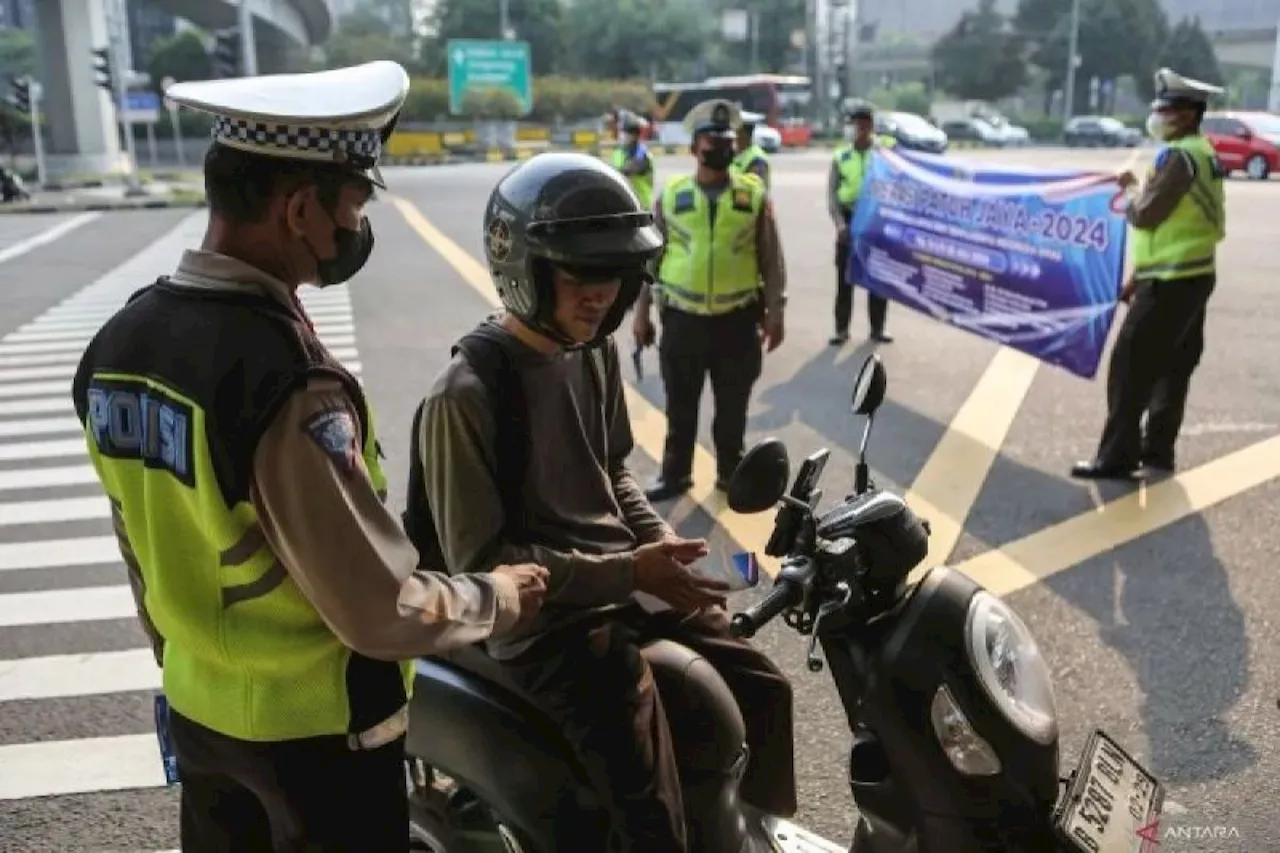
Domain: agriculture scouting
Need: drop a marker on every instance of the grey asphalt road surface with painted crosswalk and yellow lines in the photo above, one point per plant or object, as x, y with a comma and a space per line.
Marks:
1162, 640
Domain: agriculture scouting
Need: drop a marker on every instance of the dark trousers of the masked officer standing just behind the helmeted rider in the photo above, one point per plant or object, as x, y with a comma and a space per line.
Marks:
726, 346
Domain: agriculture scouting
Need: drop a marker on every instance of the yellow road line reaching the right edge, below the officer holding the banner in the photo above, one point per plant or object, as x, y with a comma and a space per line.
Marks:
1032, 559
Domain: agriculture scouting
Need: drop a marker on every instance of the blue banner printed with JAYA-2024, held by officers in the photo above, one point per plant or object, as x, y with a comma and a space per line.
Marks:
1031, 259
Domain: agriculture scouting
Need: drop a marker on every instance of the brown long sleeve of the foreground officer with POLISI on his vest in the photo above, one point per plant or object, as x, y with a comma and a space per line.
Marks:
324, 521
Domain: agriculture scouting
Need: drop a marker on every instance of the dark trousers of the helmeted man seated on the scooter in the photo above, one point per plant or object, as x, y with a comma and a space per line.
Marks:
592, 679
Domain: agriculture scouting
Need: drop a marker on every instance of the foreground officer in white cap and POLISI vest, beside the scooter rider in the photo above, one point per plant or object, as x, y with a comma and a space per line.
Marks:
284, 601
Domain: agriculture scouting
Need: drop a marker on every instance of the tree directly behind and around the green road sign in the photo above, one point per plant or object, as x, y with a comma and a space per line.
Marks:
534, 21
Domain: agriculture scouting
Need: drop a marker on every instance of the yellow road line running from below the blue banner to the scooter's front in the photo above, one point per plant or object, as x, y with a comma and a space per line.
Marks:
952, 480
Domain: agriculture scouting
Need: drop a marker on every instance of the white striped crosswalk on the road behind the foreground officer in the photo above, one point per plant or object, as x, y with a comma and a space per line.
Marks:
62, 580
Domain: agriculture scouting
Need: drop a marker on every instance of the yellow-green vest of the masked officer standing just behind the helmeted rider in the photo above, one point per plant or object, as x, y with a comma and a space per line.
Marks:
711, 268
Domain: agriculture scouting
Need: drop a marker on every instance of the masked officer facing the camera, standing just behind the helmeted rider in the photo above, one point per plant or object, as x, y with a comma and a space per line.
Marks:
721, 288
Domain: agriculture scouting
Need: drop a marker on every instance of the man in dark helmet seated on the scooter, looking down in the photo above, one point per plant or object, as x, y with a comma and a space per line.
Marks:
569, 247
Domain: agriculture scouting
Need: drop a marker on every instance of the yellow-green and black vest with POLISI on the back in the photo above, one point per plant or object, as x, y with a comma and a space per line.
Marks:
175, 394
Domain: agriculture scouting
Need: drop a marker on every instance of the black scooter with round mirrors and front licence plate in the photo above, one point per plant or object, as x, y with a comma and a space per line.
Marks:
950, 704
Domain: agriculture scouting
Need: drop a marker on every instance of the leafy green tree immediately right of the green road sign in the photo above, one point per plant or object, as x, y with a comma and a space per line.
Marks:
628, 39
